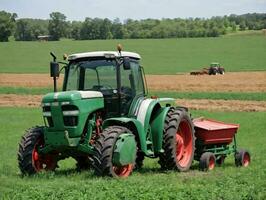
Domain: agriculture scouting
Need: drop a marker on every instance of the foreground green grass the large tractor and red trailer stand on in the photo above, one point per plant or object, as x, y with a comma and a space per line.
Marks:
227, 182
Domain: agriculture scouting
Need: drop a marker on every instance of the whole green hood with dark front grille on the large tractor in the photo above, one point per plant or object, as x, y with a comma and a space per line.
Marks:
69, 111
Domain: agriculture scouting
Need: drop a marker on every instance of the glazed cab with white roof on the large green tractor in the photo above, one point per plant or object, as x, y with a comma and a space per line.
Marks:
117, 75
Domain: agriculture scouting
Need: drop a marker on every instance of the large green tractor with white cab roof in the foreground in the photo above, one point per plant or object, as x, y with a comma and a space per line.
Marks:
104, 120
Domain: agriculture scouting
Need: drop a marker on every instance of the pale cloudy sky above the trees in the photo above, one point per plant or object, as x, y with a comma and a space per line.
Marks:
134, 9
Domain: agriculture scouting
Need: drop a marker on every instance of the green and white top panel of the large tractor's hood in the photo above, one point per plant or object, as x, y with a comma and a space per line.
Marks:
71, 96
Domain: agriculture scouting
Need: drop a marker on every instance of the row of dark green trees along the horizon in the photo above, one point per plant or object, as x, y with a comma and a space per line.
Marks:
95, 28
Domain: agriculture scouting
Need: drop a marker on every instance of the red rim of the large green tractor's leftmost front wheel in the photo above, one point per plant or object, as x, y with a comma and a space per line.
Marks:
42, 162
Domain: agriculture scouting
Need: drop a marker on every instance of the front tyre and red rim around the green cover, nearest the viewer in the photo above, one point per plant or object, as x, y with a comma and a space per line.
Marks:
103, 159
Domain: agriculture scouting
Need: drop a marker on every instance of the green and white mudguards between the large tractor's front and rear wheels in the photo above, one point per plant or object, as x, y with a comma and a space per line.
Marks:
150, 116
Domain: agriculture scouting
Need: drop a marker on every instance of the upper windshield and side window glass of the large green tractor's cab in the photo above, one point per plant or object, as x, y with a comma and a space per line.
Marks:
101, 75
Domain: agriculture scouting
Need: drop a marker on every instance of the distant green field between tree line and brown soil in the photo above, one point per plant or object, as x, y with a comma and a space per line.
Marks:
159, 56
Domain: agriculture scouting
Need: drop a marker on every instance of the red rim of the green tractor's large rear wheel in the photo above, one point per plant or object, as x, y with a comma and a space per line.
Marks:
184, 144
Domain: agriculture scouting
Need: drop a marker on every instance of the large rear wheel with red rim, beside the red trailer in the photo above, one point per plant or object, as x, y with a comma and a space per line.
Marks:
178, 141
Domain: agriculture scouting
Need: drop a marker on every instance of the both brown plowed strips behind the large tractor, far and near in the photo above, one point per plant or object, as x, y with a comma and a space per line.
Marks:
230, 82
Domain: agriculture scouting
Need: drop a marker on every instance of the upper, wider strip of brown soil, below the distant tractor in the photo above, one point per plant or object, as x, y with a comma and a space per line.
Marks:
230, 82
